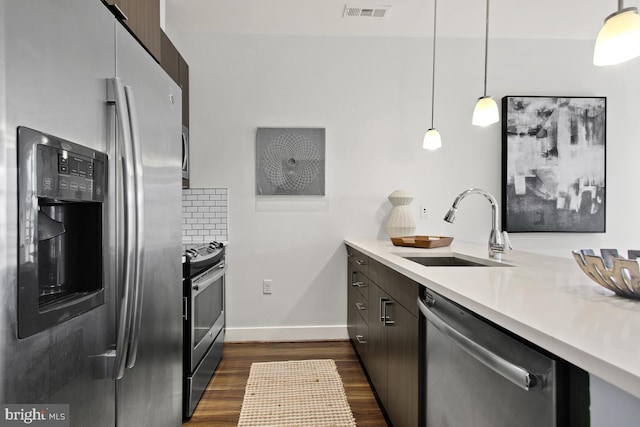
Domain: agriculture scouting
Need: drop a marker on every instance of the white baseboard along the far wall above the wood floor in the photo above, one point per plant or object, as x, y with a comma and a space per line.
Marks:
288, 333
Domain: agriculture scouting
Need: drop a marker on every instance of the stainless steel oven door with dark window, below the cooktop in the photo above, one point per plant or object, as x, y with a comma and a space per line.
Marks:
207, 311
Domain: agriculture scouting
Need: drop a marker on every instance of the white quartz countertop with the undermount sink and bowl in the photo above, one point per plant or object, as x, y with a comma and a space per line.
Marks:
546, 300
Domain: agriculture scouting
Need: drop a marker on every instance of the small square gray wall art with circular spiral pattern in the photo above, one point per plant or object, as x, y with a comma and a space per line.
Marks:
290, 161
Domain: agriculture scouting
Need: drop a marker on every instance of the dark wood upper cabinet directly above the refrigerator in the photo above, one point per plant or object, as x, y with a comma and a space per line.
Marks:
142, 19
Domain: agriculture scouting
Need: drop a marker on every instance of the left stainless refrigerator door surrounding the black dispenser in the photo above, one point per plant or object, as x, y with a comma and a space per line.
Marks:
57, 56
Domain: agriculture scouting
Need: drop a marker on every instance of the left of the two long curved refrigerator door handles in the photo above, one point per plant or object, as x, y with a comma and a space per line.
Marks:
118, 97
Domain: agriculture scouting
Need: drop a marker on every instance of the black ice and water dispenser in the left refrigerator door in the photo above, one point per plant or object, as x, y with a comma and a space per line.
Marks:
61, 189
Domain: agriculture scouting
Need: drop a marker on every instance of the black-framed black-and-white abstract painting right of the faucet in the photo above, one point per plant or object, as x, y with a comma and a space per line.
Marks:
554, 164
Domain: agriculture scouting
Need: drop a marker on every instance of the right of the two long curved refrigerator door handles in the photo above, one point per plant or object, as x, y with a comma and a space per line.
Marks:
139, 221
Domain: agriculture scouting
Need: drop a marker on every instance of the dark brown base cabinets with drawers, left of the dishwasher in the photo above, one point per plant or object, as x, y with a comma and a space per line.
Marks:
390, 355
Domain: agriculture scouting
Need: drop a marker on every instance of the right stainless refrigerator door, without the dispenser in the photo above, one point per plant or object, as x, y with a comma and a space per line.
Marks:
149, 393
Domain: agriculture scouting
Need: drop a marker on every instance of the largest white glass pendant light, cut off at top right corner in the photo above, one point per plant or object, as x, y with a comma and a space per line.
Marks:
619, 39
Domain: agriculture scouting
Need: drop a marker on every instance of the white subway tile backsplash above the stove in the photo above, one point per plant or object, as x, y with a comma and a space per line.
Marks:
204, 215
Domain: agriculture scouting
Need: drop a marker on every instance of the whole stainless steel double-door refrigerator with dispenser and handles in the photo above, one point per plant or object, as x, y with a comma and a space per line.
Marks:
90, 270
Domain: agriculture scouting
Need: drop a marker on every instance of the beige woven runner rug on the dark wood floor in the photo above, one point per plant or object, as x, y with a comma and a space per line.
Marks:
295, 394
